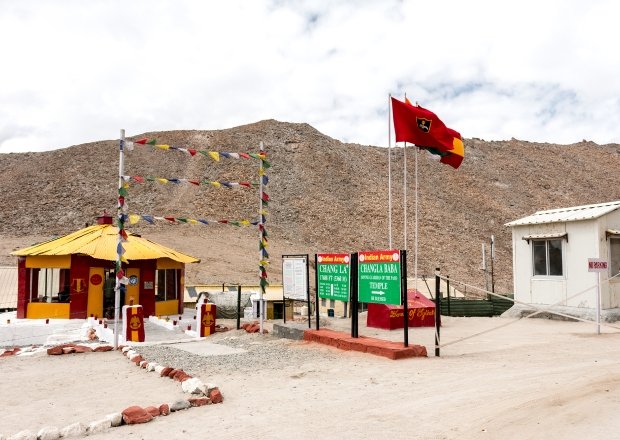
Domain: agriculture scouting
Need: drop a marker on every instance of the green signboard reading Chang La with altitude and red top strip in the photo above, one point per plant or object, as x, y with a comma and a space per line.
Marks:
333, 276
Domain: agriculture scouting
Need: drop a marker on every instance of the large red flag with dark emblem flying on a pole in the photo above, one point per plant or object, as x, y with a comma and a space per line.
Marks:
421, 127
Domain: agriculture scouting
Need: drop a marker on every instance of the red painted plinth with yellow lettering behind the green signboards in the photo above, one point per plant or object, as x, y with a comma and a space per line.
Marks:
421, 313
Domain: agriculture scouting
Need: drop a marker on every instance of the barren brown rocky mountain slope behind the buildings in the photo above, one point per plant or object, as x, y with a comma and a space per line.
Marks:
325, 196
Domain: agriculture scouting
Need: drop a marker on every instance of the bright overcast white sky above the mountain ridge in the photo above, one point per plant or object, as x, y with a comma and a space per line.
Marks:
79, 71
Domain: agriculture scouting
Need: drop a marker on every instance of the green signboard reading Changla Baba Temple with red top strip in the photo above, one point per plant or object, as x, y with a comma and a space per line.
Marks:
379, 277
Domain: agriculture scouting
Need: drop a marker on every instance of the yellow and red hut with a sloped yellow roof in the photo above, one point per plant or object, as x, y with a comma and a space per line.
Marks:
74, 276
